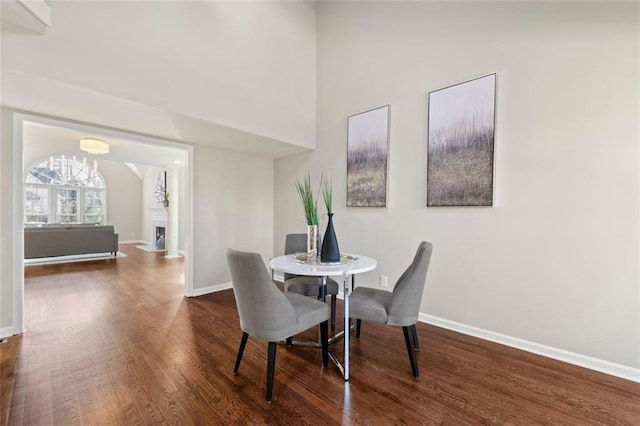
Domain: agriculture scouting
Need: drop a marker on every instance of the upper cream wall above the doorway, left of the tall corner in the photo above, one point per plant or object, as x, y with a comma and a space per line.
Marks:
243, 65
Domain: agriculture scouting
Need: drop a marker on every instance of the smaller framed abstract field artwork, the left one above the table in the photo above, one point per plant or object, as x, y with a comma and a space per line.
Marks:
367, 153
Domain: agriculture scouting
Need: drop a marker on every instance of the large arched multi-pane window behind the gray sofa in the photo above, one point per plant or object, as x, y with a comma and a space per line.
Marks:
64, 190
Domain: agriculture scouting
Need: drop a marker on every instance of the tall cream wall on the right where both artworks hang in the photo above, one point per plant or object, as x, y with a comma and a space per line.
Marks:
555, 261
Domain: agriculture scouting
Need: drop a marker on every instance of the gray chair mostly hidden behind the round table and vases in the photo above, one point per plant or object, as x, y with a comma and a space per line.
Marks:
309, 286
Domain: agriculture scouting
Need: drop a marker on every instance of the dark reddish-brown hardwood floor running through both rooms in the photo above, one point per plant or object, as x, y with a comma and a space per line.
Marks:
114, 342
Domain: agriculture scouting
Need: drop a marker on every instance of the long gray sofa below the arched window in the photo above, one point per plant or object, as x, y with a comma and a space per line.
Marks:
63, 240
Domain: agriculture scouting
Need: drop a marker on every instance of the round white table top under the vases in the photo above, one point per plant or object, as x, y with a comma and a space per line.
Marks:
289, 265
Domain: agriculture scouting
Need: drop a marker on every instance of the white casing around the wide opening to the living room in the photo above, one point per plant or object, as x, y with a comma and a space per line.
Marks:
140, 147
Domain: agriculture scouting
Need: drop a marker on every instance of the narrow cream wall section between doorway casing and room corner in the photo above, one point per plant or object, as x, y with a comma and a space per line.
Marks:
233, 208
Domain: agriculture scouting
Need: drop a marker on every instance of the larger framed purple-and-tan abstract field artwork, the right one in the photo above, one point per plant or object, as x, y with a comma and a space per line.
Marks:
461, 129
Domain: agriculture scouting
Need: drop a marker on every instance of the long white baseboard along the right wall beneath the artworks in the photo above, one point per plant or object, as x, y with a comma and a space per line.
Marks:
596, 364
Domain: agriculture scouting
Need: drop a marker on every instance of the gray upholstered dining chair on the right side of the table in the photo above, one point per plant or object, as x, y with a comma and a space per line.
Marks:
399, 307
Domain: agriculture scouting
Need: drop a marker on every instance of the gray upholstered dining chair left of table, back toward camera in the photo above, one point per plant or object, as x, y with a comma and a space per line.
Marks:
267, 313
